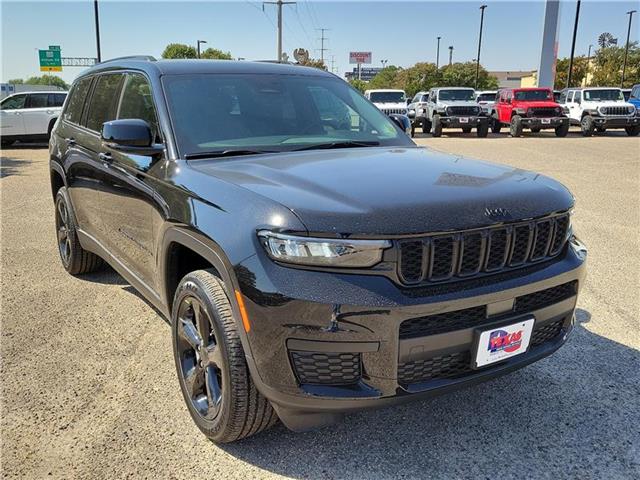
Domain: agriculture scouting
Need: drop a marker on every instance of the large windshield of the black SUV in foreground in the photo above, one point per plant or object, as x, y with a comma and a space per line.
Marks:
213, 112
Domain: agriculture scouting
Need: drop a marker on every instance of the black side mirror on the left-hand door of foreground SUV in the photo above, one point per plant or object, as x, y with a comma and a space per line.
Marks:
130, 135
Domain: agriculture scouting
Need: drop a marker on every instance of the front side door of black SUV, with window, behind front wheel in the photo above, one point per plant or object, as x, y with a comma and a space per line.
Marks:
129, 207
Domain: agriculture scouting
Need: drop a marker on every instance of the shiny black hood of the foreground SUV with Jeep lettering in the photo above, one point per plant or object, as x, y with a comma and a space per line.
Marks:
391, 191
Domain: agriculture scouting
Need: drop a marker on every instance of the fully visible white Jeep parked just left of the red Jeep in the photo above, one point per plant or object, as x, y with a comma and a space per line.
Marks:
455, 107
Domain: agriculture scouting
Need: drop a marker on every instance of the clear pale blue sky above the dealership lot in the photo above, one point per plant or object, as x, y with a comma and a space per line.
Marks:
402, 32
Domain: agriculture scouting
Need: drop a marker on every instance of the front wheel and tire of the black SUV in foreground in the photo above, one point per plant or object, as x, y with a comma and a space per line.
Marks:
232, 407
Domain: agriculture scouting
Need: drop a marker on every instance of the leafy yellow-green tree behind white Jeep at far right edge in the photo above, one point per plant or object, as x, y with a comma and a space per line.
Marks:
607, 66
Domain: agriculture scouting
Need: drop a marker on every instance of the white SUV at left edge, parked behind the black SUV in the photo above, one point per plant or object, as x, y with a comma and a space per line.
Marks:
29, 116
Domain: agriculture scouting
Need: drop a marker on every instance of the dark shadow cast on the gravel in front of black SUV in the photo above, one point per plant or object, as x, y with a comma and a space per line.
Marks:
581, 403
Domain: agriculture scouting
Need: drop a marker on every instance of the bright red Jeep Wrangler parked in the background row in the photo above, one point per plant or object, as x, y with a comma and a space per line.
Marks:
532, 108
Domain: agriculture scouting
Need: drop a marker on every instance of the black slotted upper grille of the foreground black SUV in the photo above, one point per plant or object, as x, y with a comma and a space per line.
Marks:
465, 254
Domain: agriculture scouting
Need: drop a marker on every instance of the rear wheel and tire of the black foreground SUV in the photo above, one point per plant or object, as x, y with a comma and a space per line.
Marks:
75, 259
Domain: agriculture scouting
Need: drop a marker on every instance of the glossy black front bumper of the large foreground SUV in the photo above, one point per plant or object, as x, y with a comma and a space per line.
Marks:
337, 323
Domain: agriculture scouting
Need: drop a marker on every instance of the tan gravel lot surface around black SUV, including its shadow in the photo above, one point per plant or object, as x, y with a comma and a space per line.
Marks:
89, 388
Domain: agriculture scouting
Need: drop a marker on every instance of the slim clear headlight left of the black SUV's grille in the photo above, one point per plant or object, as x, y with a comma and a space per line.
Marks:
323, 251
